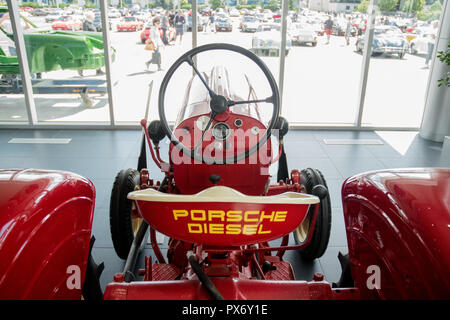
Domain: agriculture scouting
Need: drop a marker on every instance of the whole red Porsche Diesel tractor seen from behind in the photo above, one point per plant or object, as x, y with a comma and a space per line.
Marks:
221, 212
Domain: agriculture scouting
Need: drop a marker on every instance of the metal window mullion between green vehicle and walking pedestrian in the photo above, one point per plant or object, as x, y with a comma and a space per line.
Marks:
107, 57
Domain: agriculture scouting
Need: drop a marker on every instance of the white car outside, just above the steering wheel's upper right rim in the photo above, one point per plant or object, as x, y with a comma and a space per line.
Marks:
267, 40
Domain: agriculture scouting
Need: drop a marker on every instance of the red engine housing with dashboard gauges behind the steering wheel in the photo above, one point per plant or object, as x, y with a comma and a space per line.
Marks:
249, 176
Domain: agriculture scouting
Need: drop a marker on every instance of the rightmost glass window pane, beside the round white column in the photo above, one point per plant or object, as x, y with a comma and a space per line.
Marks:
399, 67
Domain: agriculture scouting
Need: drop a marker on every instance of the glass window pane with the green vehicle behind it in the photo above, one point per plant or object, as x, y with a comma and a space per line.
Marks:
66, 60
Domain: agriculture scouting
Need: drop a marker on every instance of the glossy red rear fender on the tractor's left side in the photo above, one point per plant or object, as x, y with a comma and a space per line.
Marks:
45, 229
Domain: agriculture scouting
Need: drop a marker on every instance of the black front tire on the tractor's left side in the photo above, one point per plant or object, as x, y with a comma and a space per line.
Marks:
121, 210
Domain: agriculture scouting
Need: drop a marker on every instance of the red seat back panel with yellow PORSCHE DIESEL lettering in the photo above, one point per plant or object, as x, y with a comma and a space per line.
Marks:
240, 224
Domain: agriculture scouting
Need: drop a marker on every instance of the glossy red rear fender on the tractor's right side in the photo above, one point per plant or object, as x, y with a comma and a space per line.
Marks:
399, 220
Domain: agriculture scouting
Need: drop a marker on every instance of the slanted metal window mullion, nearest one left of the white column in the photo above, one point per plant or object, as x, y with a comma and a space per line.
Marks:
368, 38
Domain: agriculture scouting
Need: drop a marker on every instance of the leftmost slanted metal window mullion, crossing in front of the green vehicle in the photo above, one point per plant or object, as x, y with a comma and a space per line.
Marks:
27, 86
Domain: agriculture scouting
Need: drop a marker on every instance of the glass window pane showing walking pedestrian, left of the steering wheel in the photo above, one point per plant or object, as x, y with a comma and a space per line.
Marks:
135, 67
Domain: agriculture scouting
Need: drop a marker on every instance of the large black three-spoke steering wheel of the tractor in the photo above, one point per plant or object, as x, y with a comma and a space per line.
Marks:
218, 103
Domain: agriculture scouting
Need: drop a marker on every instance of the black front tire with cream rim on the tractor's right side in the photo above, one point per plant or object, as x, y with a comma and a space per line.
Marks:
310, 178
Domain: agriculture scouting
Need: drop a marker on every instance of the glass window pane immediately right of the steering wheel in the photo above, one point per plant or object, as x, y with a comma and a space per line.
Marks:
323, 69
